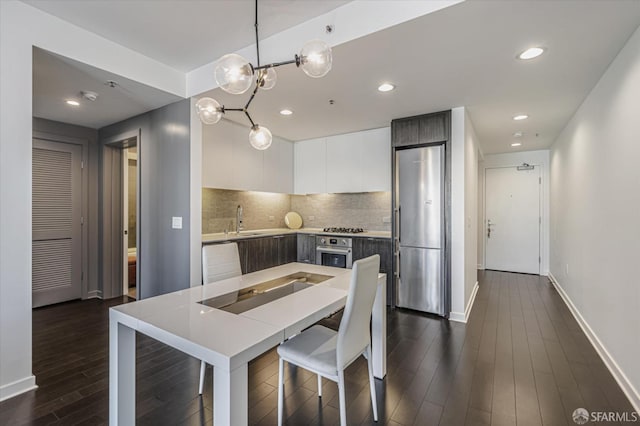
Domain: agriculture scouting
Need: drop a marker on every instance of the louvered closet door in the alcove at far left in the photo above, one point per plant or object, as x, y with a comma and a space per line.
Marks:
56, 222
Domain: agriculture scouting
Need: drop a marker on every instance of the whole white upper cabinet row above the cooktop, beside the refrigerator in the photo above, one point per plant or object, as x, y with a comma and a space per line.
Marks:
353, 162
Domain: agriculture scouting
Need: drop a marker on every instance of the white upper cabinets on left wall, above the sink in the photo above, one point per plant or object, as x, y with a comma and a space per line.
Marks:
230, 162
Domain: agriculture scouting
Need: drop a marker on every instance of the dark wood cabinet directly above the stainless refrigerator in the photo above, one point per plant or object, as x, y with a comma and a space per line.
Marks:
428, 128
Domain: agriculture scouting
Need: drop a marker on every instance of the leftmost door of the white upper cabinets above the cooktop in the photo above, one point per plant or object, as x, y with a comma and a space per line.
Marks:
310, 167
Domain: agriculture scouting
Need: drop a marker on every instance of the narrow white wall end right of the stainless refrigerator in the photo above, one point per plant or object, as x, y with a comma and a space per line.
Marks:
464, 217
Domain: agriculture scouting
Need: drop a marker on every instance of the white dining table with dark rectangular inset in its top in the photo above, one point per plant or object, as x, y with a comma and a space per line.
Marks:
226, 340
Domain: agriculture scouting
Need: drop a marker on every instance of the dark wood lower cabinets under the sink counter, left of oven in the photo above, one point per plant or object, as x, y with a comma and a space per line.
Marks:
266, 252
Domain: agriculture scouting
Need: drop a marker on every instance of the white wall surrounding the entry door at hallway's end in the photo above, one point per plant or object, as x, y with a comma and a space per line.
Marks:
537, 158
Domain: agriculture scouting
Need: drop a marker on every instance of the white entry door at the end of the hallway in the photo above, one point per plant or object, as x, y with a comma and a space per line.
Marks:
512, 220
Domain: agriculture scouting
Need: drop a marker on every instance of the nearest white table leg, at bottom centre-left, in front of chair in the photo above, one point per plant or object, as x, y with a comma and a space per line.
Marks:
230, 396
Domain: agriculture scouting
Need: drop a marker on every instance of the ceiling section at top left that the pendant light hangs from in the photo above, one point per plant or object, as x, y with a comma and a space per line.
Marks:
184, 34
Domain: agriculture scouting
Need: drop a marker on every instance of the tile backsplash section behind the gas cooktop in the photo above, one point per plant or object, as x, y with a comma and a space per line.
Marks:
364, 210
